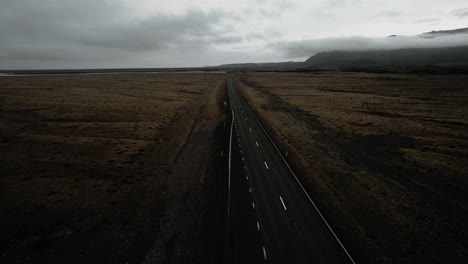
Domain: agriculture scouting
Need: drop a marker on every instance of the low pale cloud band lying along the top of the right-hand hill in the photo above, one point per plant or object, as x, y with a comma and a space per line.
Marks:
305, 48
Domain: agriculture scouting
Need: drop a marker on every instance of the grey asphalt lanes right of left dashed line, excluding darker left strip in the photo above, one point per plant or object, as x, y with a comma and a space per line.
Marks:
291, 227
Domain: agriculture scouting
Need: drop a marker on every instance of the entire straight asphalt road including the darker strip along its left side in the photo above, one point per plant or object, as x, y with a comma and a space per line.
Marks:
271, 218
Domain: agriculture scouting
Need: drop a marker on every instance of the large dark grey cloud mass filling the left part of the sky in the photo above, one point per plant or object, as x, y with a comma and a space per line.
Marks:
80, 30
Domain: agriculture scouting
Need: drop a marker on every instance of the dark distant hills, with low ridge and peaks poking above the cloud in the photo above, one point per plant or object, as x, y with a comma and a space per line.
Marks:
445, 56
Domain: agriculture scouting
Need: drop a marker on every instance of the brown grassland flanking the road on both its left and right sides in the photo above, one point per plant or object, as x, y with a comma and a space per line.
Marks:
115, 168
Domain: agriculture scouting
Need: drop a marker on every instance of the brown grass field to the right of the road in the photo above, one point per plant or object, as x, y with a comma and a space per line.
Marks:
384, 155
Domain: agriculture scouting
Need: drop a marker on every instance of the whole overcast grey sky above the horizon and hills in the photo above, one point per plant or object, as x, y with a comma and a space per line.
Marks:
176, 33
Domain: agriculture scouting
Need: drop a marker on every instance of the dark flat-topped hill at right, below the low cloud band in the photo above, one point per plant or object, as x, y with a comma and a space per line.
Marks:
452, 56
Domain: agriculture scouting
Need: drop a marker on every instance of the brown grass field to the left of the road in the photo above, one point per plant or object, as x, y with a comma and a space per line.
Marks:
107, 168
